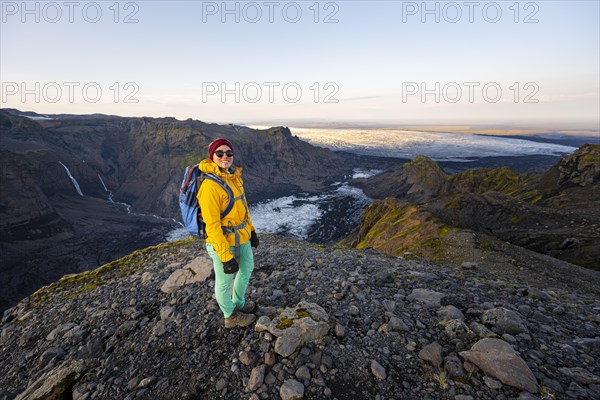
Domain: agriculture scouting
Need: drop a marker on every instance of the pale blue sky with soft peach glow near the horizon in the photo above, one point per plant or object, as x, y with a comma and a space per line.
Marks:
522, 63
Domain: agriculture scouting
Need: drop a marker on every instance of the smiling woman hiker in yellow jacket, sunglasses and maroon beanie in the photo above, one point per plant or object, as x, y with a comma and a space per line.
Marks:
228, 239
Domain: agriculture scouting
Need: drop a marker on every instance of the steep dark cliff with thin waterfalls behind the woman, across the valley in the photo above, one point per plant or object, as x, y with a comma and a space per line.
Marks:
142, 159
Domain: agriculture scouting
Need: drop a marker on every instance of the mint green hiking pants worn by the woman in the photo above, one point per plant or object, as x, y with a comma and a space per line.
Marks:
227, 304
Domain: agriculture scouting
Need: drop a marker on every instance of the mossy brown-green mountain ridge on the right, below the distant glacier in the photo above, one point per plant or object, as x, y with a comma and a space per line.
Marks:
554, 214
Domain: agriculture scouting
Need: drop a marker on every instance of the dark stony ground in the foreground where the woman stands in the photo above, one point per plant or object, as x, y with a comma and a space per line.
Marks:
397, 328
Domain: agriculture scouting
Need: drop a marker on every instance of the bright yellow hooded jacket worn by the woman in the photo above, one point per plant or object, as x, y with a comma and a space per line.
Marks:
213, 199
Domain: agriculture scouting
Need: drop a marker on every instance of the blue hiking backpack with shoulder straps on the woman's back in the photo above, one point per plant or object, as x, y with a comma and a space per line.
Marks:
188, 201
